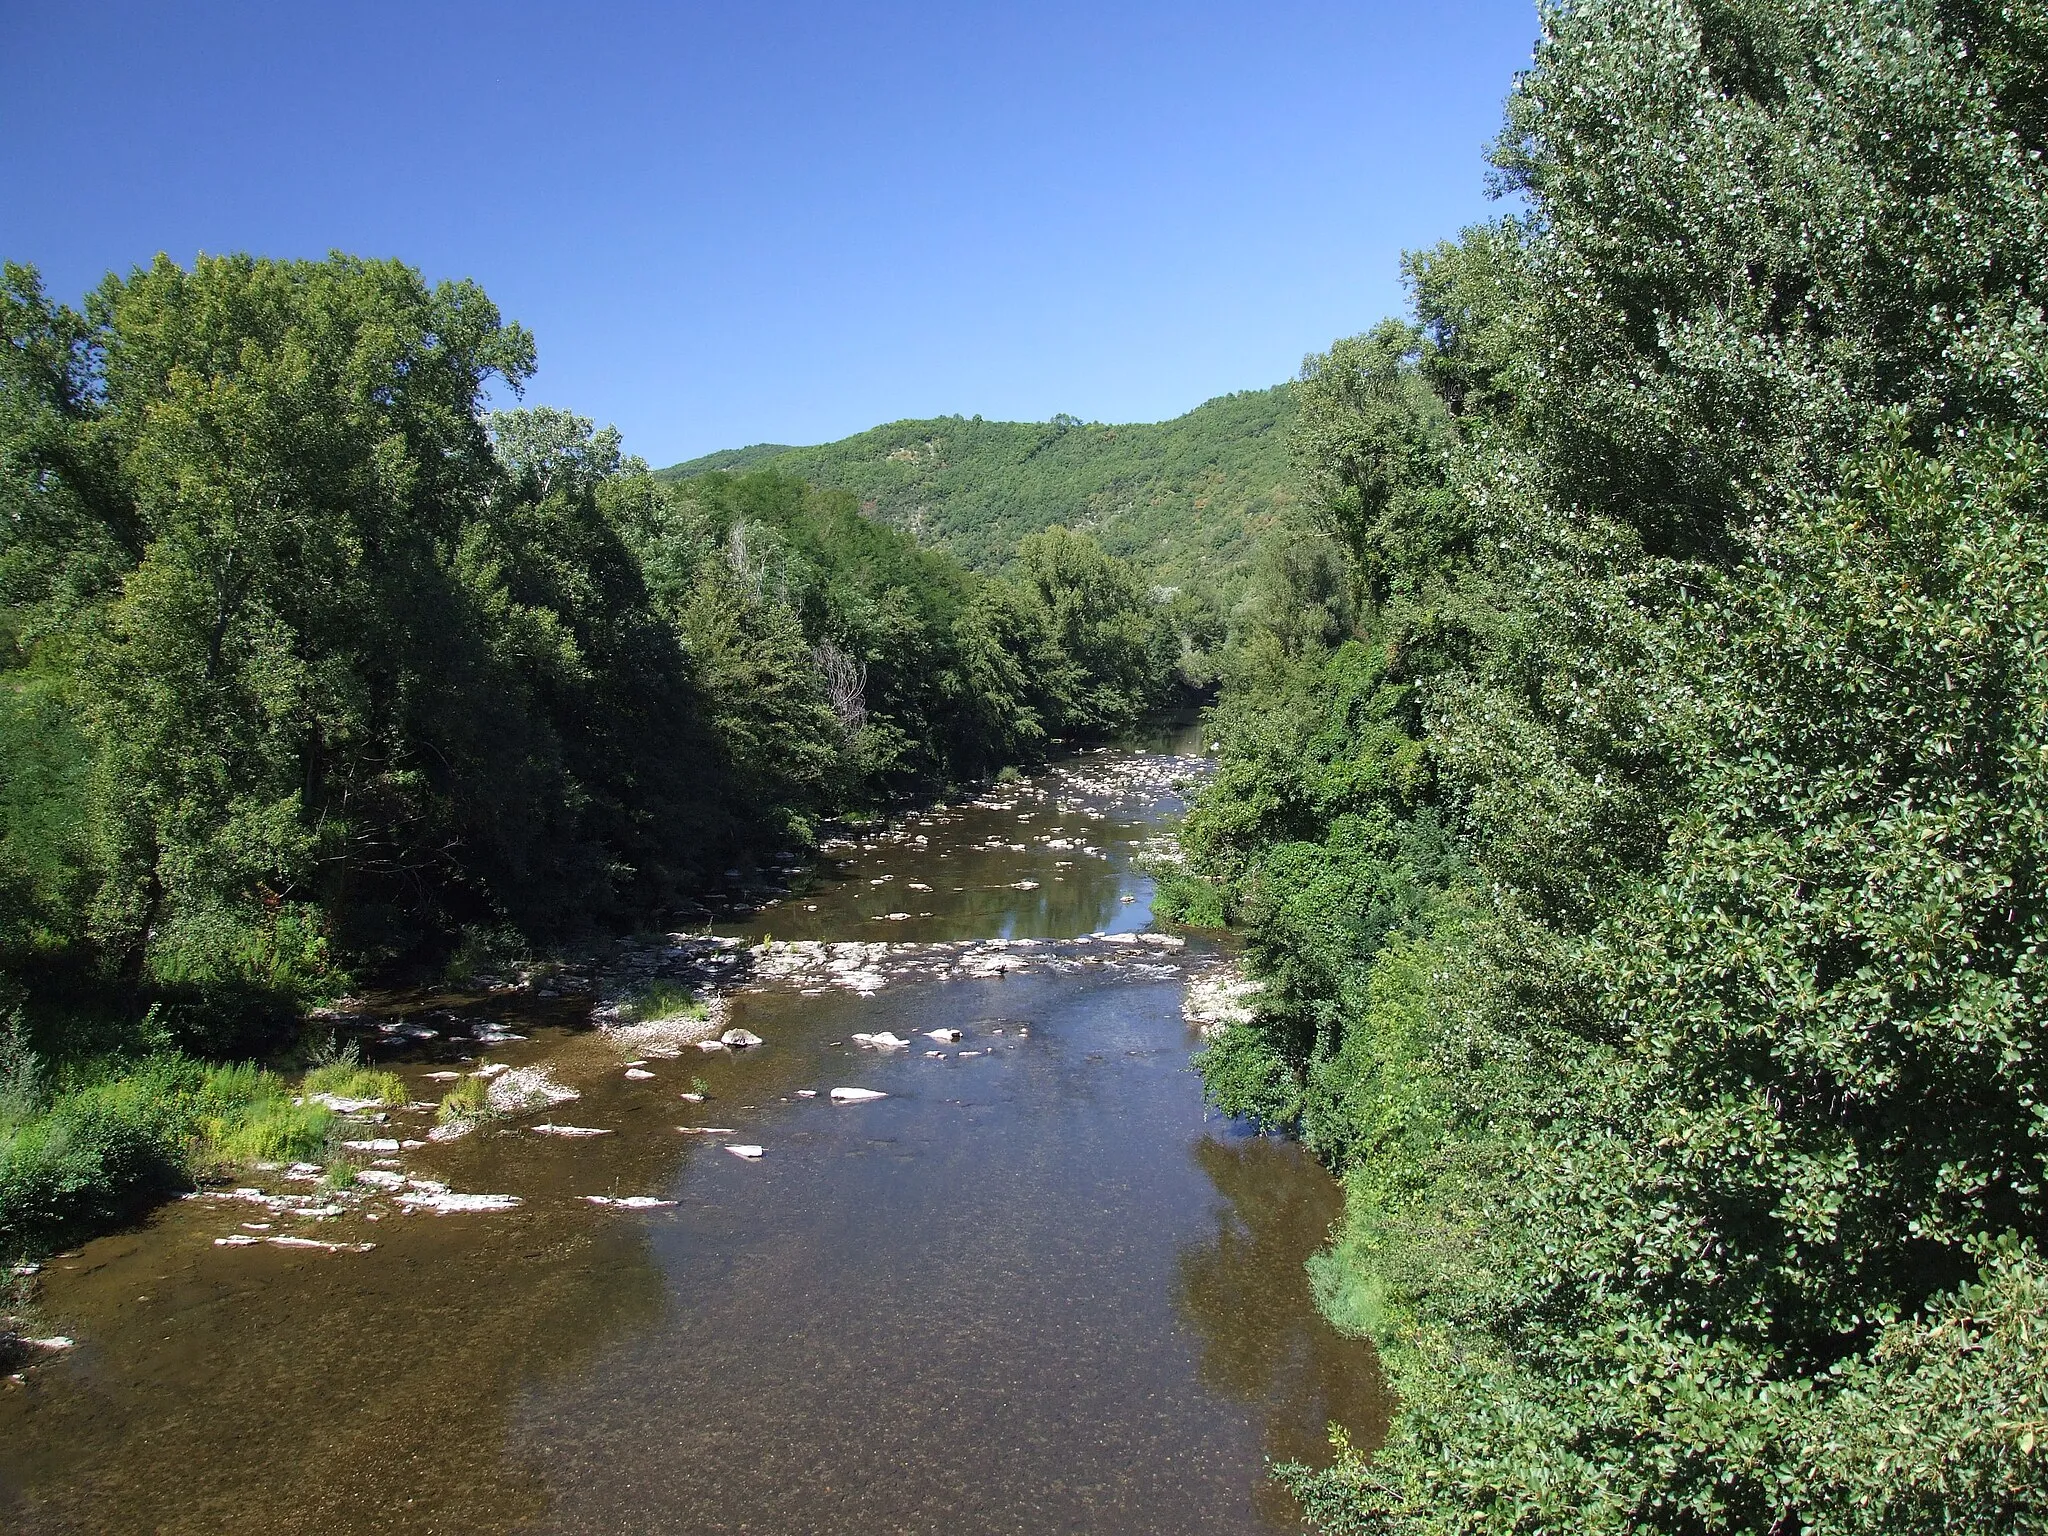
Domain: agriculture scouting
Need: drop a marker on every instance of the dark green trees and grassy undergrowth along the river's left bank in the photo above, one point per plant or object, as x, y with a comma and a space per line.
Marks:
312, 669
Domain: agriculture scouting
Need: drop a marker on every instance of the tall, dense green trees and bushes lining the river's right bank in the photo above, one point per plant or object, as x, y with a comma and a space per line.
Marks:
1633, 796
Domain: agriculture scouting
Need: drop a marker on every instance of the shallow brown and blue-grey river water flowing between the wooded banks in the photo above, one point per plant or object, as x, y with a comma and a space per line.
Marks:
1035, 1289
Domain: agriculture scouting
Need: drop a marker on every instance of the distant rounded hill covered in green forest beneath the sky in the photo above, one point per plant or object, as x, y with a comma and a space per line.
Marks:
1185, 499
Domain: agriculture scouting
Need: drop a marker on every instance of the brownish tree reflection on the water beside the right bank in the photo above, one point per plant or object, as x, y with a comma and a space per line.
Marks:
1246, 1295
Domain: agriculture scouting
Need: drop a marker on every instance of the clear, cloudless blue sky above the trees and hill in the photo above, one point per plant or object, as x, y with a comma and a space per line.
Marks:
790, 222
